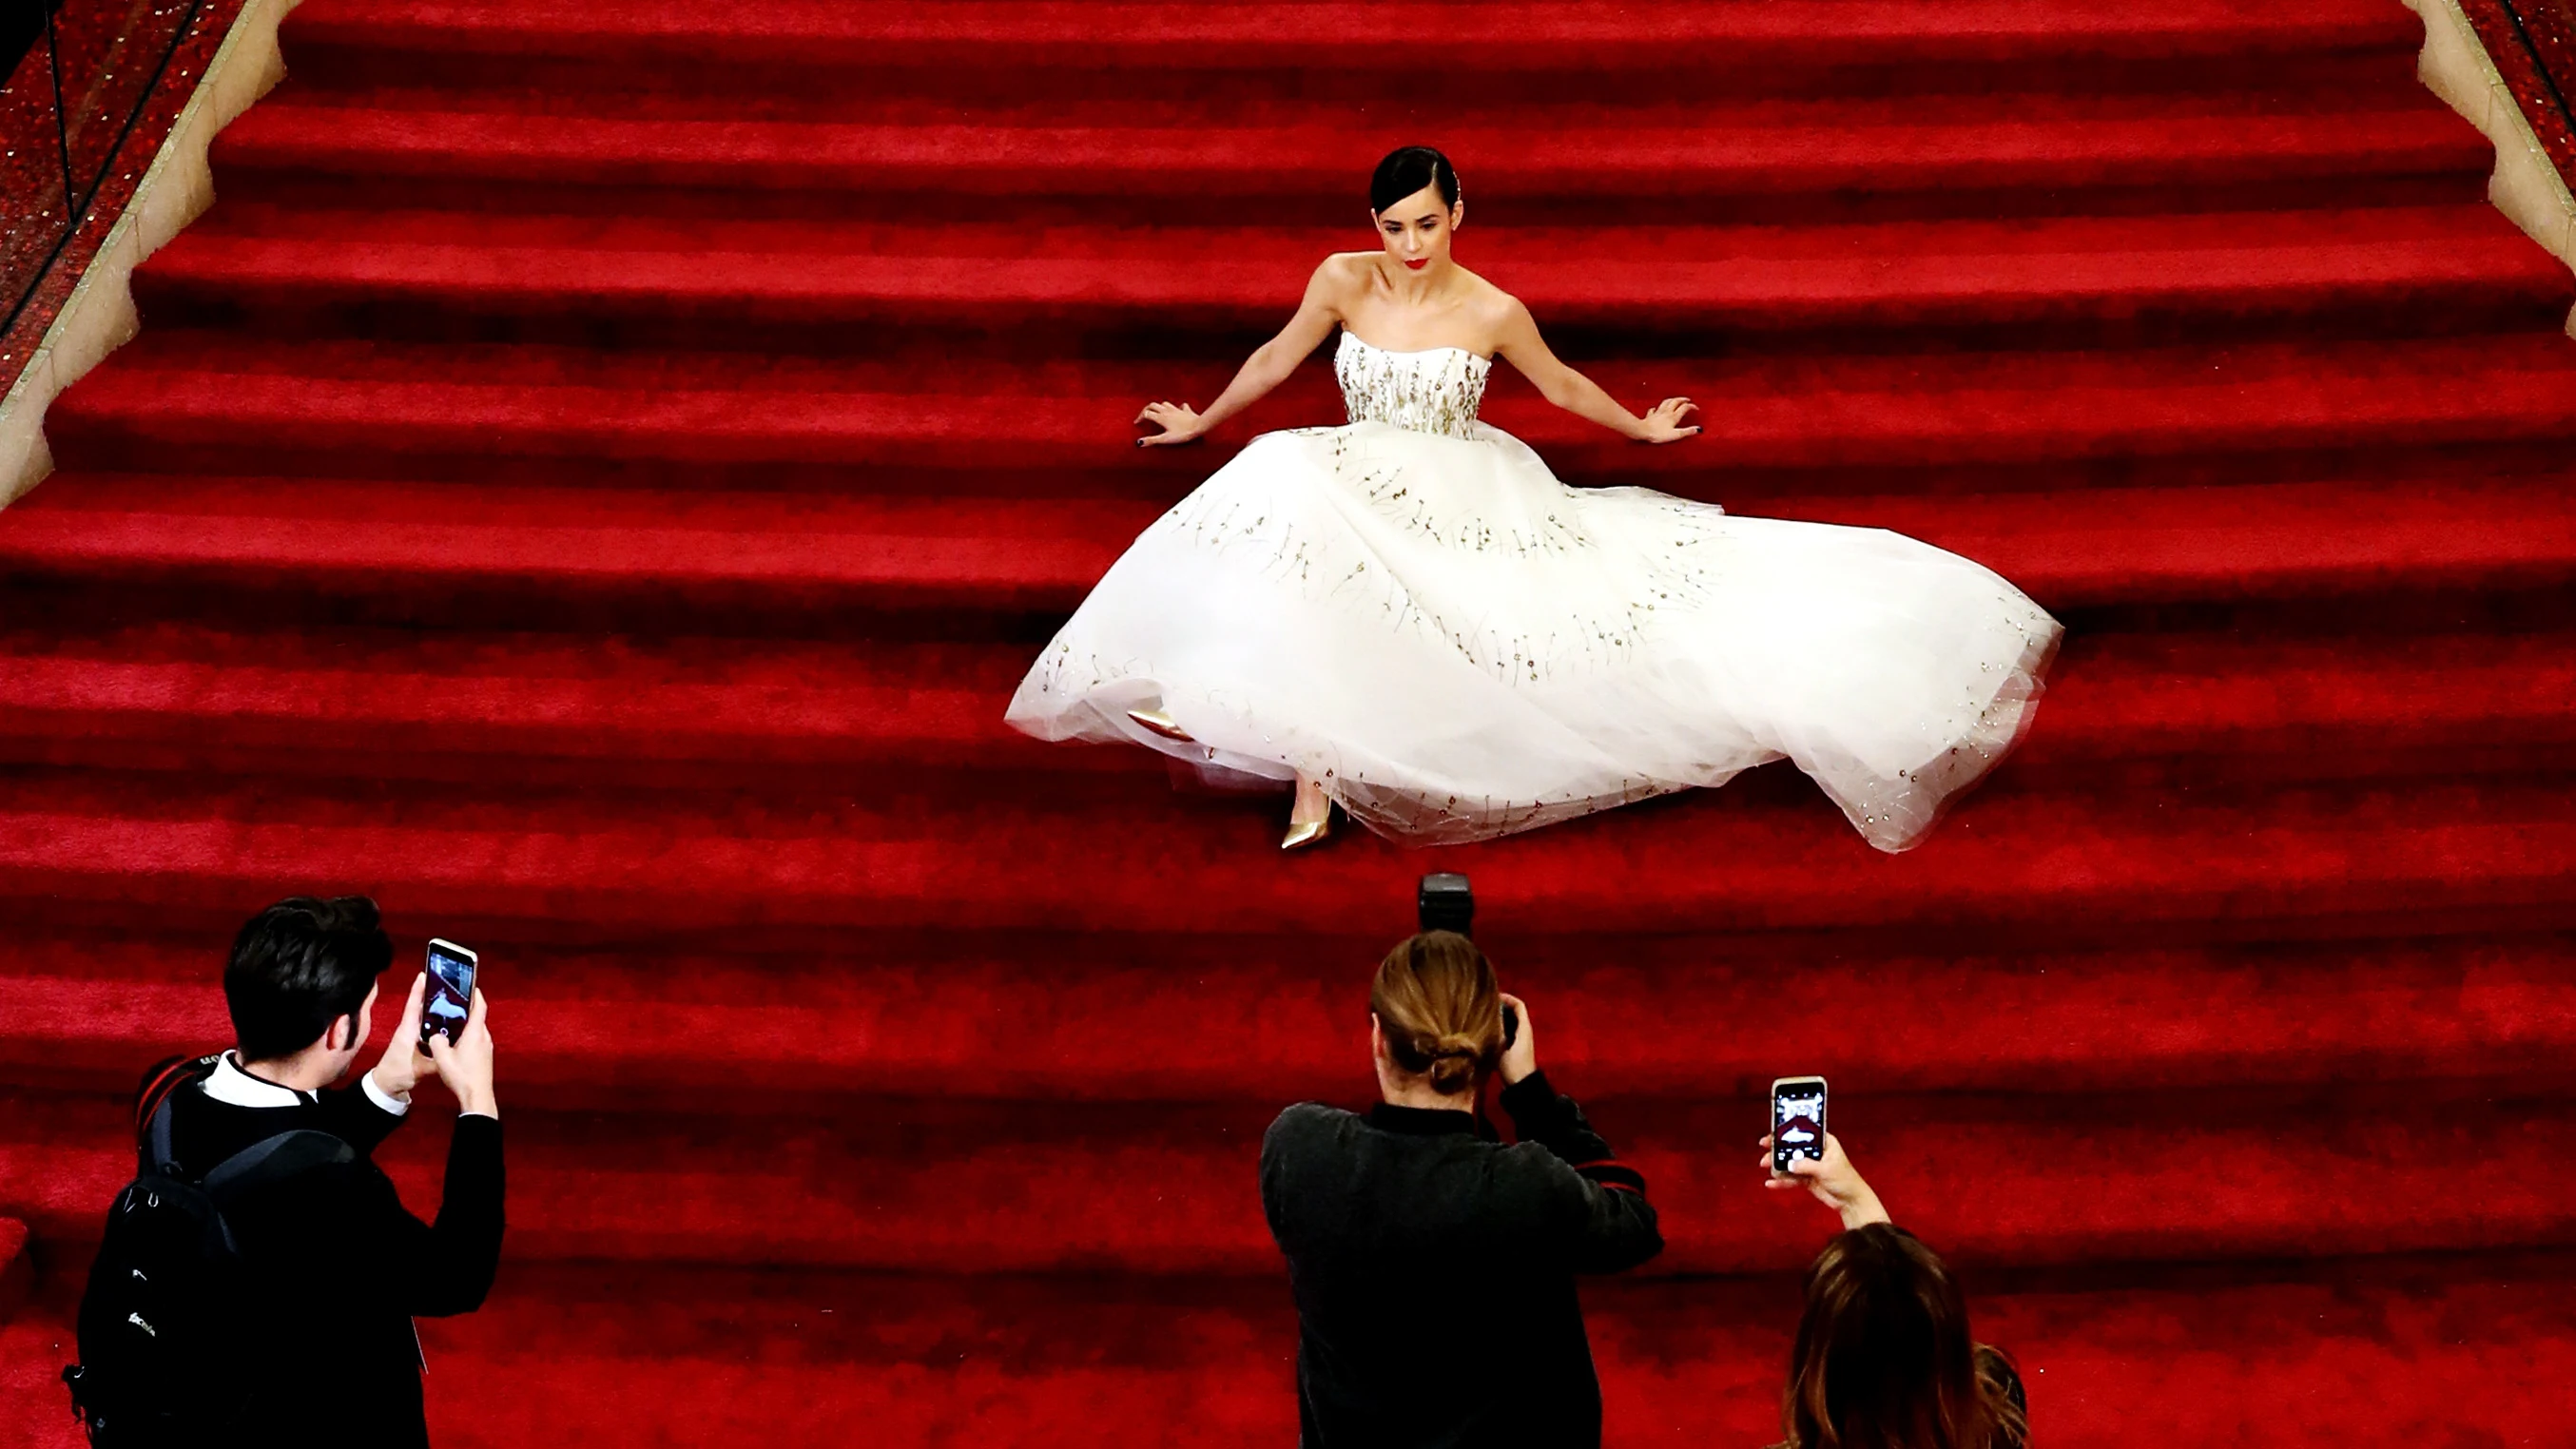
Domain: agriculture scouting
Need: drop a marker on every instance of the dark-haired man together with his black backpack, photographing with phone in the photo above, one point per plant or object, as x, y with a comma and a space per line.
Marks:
261, 1275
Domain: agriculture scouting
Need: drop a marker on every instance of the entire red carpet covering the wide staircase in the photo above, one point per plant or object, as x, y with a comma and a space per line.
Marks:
596, 475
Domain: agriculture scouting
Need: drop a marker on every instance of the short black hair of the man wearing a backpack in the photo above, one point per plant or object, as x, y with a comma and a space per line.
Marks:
300, 966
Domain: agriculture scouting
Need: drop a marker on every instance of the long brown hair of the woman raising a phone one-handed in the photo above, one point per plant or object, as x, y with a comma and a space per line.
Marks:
1884, 1358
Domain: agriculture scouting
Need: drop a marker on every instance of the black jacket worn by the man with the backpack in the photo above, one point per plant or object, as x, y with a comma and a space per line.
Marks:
339, 1268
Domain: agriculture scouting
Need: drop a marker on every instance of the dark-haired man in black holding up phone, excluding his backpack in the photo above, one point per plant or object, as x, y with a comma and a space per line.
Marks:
336, 1265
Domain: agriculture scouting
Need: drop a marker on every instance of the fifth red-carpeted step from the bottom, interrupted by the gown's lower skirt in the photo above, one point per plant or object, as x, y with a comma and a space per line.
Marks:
699, 712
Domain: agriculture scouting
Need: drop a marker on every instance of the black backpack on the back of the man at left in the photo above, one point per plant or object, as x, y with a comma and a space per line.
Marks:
164, 1352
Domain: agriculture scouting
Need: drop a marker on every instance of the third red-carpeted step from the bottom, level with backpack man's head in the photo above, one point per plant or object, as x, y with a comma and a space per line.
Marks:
1271, 1018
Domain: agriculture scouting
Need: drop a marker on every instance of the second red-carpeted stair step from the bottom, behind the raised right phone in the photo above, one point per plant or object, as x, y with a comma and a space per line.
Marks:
1173, 1190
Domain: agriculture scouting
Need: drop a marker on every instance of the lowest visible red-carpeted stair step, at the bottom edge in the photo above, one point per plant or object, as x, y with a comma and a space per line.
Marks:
2448, 1345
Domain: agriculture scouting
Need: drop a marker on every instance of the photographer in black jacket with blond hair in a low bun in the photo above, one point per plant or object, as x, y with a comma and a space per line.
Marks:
1434, 1268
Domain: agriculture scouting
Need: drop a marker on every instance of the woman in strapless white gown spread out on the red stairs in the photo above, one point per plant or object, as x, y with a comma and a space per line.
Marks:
1413, 619
